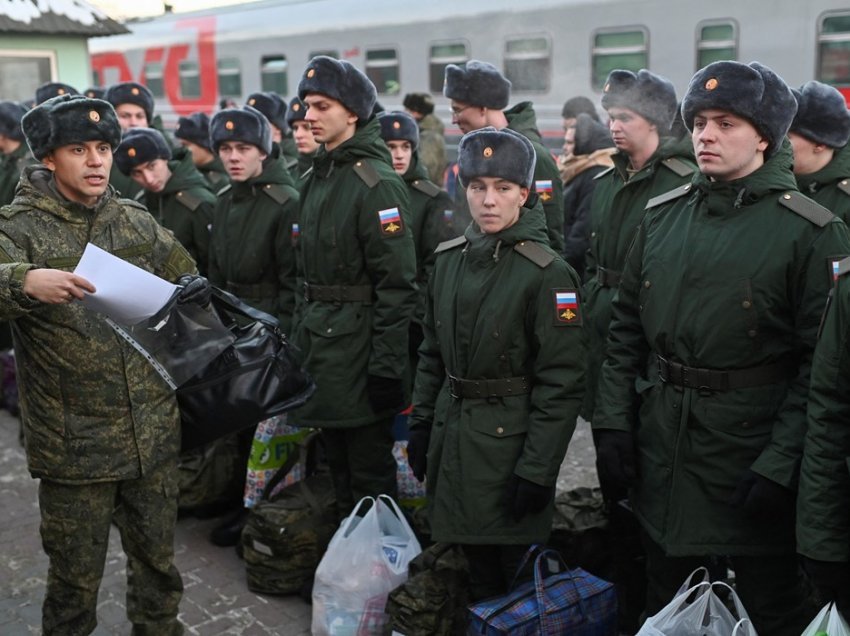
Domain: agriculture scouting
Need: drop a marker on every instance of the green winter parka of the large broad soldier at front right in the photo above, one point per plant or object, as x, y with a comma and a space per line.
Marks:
723, 276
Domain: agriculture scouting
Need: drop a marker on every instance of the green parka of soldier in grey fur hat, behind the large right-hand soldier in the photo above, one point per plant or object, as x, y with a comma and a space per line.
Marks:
617, 207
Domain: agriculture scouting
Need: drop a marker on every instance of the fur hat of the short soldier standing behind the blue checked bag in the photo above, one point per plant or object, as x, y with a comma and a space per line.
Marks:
488, 152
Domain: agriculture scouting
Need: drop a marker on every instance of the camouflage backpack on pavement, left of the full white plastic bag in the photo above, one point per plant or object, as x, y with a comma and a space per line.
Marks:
286, 535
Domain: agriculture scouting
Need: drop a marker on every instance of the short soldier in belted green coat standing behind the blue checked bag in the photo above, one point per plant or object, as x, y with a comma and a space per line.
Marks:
501, 370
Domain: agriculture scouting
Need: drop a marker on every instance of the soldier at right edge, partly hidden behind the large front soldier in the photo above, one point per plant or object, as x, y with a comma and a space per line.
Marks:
819, 135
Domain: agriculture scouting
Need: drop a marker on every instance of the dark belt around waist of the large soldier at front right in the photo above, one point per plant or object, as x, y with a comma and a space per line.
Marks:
719, 380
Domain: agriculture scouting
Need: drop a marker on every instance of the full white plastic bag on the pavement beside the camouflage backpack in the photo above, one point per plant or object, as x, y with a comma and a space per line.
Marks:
365, 560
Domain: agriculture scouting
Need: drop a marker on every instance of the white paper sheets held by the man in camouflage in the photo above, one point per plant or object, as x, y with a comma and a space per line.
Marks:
125, 293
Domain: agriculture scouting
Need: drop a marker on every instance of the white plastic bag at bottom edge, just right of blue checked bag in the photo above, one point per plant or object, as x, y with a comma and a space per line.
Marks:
696, 610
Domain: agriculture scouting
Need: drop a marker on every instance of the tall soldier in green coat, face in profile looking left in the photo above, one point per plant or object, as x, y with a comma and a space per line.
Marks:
358, 262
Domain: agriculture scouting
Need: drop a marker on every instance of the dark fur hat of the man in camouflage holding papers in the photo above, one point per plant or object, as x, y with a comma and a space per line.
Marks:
69, 119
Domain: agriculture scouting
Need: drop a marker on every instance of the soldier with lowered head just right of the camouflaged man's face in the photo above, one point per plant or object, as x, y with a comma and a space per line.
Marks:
175, 192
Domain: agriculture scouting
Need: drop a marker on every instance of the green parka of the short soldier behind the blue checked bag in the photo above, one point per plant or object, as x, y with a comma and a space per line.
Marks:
492, 313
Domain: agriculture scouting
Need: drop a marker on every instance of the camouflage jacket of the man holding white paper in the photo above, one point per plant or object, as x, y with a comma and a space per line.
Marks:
93, 409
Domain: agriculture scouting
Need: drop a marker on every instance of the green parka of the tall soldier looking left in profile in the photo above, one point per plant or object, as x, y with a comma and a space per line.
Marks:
355, 233
